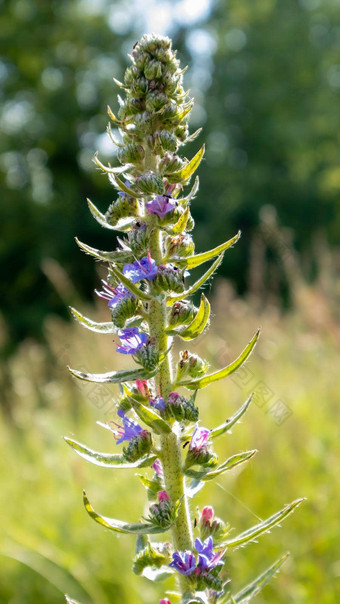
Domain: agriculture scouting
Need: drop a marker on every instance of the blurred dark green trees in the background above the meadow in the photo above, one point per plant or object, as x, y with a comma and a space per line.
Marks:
266, 80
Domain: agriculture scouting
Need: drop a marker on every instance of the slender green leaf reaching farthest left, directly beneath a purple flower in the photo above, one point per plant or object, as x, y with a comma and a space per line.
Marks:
108, 460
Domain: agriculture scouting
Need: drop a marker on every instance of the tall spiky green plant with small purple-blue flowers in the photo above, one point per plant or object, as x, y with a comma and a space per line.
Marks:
147, 297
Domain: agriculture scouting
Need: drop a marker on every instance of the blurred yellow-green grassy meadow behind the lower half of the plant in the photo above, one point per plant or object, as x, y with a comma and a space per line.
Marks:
50, 546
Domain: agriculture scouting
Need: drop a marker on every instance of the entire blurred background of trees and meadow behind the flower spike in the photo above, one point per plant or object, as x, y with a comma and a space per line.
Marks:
266, 81
